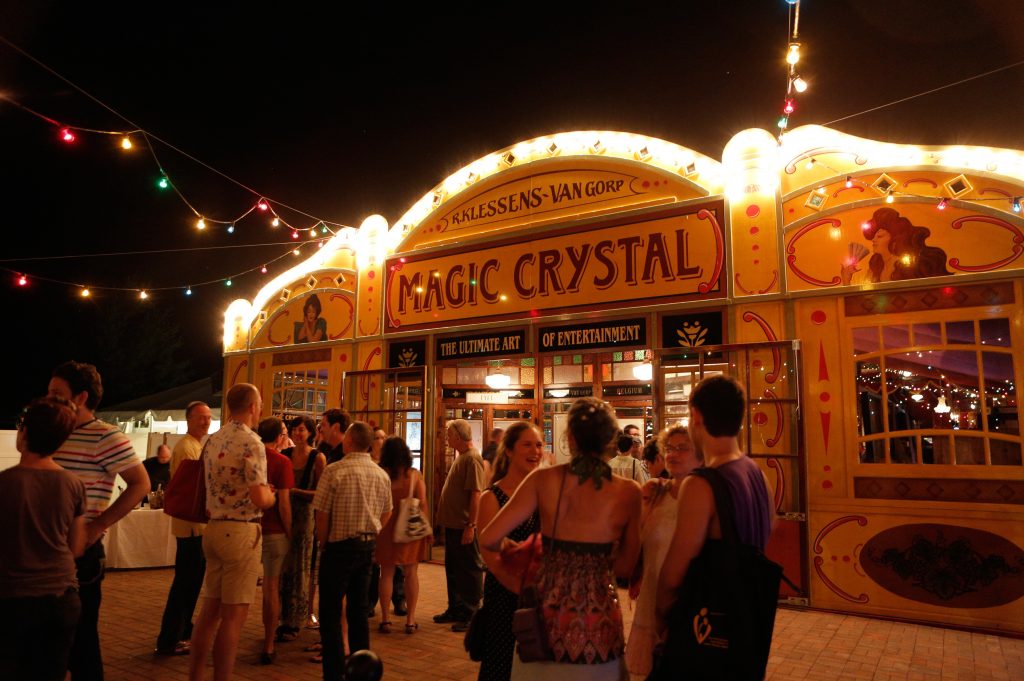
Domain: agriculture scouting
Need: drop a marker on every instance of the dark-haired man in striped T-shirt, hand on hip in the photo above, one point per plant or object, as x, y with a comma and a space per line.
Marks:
97, 453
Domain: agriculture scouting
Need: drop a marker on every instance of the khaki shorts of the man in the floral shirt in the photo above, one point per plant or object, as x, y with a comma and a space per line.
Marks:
233, 558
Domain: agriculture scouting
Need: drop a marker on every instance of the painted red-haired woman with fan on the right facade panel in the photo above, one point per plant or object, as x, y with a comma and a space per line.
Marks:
899, 252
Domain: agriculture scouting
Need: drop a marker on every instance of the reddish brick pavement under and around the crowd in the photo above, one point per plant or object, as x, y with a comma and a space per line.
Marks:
807, 645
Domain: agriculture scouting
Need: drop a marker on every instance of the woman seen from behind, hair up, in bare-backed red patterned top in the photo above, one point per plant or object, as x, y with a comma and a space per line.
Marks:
590, 521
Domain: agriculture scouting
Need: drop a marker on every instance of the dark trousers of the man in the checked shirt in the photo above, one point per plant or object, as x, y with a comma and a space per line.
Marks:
345, 574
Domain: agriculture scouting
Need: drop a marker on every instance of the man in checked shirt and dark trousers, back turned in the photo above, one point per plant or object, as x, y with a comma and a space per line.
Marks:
353, 503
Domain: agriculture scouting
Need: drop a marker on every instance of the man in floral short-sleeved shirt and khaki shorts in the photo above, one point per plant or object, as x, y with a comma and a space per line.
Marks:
237, 493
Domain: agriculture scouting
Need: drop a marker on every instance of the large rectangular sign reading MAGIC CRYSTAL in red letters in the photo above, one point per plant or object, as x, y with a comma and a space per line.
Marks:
671, 256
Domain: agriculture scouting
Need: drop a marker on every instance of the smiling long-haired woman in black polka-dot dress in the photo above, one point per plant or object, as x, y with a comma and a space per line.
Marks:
520, 453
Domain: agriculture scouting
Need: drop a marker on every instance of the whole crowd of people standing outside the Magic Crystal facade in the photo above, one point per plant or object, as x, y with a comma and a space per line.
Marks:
290, 502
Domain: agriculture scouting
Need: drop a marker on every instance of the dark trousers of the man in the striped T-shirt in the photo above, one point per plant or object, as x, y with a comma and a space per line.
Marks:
86, 663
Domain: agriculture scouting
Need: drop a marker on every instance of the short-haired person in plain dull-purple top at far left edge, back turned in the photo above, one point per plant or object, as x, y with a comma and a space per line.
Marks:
42, 531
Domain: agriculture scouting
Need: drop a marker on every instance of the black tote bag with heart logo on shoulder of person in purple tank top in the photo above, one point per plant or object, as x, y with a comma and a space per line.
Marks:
721, 625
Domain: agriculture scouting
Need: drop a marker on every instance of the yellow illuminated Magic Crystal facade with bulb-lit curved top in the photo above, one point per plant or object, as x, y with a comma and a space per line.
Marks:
870, 295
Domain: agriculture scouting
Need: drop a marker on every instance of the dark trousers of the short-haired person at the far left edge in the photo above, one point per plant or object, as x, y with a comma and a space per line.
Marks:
36, 635
